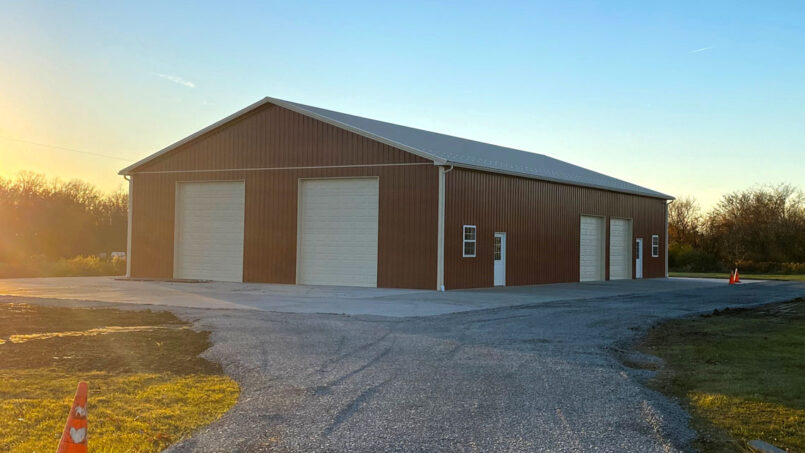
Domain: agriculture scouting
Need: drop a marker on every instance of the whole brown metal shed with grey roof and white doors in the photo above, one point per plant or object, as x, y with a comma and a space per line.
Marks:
285, 193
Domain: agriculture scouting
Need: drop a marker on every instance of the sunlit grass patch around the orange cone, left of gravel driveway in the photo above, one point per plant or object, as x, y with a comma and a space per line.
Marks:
147, 386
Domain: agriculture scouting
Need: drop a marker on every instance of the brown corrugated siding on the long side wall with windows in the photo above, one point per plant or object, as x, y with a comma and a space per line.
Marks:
541, 221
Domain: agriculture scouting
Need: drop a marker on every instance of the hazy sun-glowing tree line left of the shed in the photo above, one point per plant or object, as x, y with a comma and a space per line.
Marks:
42, 218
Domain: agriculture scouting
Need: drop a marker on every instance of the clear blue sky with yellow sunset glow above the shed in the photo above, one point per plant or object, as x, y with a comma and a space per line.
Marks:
689, 98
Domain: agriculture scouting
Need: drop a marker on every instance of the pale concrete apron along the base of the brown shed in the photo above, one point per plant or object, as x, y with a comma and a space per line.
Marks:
328, 299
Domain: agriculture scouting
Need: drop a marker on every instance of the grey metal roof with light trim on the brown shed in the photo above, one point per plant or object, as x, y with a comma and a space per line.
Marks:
448, 150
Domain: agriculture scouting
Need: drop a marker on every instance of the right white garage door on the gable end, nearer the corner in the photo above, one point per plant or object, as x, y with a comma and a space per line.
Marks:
337, 243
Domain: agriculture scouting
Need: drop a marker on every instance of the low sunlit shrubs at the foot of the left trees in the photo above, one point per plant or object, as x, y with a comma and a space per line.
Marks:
79, 266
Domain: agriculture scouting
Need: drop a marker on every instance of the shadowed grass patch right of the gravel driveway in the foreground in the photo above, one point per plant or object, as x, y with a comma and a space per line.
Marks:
740, 372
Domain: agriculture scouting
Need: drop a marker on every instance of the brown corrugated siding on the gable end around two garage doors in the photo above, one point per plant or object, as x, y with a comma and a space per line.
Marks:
265, 148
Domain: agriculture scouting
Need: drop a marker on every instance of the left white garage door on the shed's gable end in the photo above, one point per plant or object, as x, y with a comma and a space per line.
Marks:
208, 241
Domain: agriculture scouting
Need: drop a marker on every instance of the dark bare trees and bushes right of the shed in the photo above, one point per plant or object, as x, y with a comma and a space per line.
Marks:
761, 229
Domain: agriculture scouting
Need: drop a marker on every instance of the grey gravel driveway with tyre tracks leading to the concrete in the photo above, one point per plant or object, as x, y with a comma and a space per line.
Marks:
539, 377
